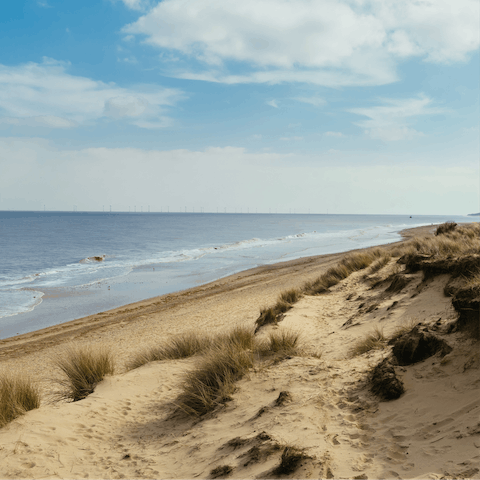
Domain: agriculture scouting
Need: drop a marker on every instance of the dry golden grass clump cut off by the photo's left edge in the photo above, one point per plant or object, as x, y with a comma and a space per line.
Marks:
18, 395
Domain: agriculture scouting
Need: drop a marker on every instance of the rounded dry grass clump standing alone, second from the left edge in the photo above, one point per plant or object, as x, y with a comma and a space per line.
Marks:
83, 368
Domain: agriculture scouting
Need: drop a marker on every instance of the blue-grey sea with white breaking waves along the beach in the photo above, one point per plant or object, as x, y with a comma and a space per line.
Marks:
60, 266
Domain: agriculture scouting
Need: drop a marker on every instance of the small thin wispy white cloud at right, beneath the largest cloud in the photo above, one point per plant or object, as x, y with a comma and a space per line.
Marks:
390, 121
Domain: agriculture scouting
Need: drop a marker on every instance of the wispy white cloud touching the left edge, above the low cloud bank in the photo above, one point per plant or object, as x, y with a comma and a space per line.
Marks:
46, 95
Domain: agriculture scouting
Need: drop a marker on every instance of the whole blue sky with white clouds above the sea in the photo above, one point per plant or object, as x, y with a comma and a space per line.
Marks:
321, 106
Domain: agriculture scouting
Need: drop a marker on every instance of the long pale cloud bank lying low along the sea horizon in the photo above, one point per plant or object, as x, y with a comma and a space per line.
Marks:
228, 177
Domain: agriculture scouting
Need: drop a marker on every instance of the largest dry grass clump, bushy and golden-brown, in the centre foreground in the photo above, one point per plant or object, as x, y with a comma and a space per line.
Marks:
213, 381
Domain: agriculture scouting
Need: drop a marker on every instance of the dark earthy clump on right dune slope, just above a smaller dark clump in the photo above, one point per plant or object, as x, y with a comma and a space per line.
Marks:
417, 345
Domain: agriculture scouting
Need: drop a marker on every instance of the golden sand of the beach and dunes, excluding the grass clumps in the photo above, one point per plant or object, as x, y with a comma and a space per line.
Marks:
128, 429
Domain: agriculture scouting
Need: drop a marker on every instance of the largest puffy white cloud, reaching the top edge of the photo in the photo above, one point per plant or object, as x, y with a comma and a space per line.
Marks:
332, 42
